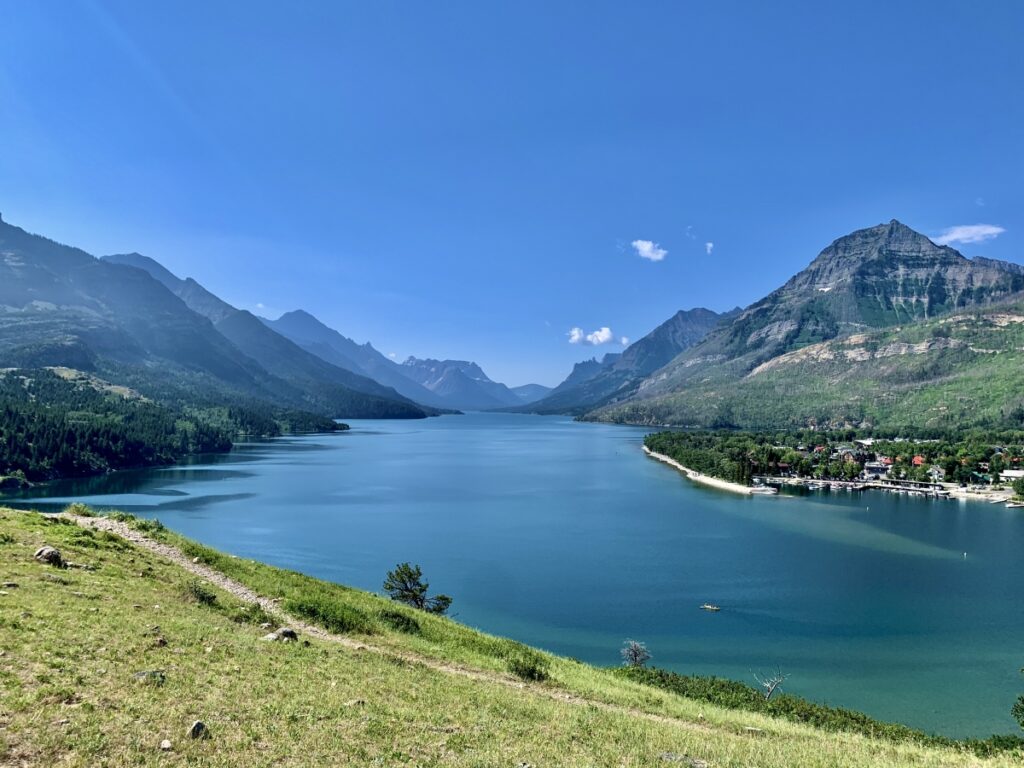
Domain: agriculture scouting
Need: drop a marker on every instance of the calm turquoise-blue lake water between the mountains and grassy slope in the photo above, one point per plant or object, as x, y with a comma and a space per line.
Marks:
567, 537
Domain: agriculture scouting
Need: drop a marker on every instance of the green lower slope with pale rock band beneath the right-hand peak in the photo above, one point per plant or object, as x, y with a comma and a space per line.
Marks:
959, 372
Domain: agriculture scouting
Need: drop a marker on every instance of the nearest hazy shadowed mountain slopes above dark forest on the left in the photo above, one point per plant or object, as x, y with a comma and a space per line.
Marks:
63, 307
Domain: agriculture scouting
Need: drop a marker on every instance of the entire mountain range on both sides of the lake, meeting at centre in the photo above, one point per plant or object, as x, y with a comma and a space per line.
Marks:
883, 328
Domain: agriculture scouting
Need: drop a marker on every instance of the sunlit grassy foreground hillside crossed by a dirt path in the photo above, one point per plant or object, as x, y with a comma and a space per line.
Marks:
101, 664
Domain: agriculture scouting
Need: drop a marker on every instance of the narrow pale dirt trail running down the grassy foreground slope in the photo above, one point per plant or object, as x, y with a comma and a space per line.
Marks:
272, 607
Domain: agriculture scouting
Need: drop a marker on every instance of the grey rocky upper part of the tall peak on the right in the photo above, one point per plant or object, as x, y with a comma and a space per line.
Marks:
875, 278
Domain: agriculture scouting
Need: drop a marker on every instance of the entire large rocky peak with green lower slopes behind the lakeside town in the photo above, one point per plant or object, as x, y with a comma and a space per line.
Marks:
883, 328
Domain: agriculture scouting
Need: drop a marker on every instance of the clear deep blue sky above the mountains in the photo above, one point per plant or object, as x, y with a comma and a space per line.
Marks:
467, 180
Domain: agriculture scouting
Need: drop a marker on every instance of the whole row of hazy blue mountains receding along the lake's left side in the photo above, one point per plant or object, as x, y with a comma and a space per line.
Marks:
129, 320
